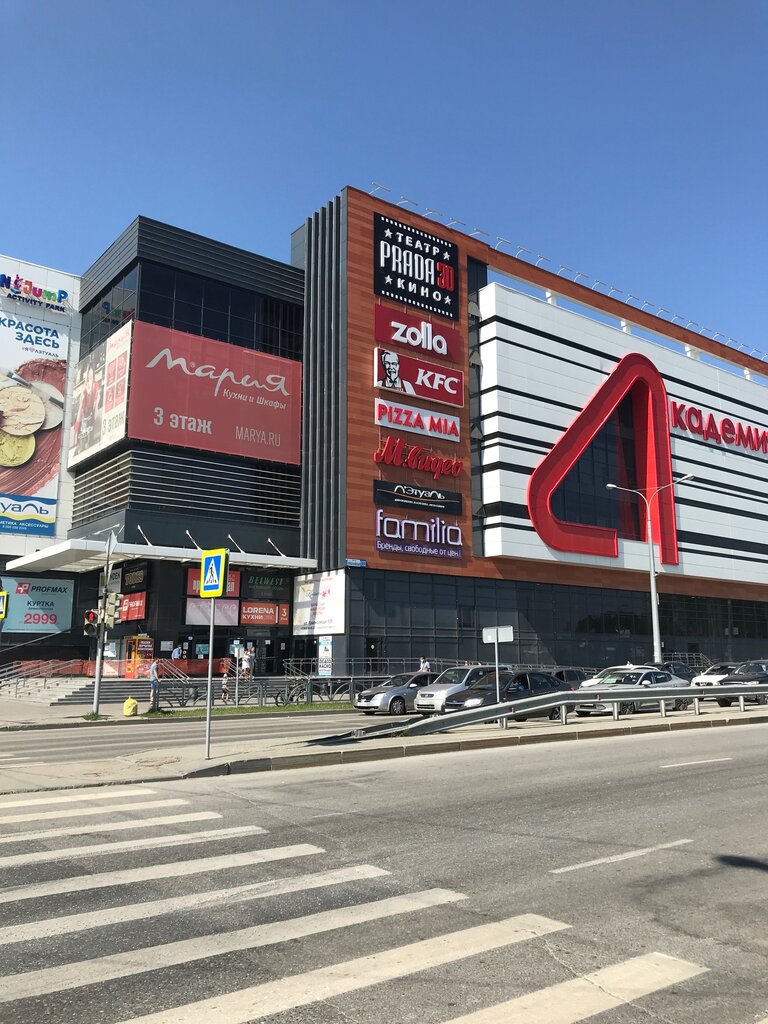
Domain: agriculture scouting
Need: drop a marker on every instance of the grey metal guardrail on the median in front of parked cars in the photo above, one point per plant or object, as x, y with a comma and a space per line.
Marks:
567, 701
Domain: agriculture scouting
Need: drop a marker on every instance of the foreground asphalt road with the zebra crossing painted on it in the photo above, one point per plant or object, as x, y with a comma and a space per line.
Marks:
624, 881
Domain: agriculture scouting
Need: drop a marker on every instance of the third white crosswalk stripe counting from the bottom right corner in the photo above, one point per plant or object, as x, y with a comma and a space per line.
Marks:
101, 969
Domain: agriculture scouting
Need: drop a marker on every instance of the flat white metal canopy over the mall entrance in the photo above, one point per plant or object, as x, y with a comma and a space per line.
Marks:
86, 557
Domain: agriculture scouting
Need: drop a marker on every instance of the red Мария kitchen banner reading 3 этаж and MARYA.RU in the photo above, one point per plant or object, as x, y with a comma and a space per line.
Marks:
195, 393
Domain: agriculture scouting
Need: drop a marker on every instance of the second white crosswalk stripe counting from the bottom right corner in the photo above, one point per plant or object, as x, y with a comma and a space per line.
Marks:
352, 976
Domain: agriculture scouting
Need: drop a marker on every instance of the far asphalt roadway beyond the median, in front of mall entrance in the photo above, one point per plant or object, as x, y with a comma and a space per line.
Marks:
28, 747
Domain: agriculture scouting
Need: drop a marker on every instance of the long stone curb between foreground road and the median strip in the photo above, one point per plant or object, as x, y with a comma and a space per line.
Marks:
358, 755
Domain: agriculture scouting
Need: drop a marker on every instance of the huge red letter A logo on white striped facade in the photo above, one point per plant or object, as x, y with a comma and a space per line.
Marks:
636, 375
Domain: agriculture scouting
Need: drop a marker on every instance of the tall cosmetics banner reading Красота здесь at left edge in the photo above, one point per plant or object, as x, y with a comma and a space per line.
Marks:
34, 346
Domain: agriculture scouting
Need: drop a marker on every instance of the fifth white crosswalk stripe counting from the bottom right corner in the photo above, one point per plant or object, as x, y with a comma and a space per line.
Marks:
104, 880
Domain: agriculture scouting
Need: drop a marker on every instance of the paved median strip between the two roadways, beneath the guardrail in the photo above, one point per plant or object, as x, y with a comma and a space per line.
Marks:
236, 757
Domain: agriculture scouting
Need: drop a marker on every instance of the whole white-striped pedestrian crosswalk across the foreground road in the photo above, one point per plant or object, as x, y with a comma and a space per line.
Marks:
74, 925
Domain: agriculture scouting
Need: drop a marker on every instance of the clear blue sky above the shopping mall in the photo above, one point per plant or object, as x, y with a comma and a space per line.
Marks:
624, 140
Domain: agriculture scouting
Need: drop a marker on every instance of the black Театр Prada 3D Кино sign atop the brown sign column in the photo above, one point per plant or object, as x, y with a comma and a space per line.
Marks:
415, 267
